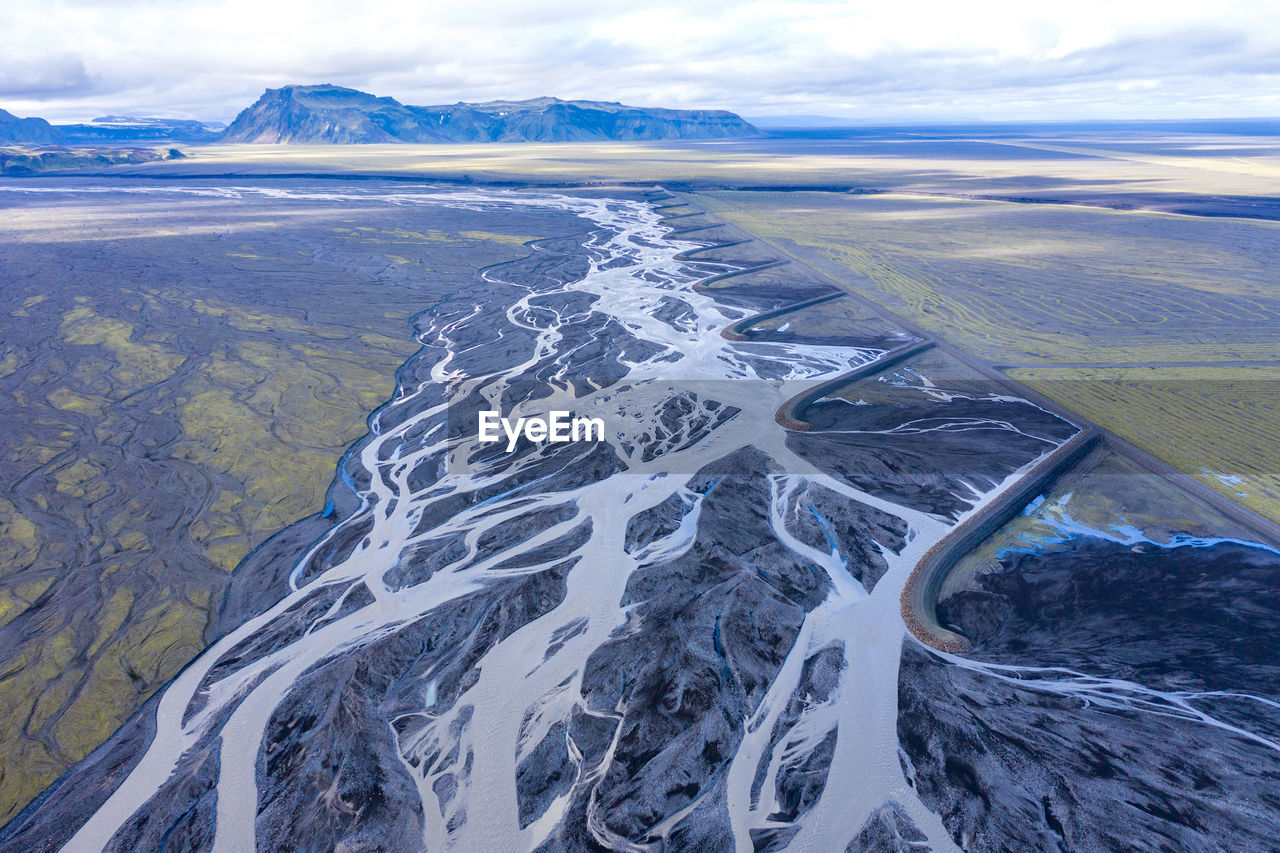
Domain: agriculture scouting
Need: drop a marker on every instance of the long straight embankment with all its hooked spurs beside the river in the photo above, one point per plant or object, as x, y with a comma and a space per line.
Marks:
920, 595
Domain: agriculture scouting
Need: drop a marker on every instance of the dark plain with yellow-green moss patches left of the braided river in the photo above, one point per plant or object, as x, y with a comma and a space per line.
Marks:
181, 378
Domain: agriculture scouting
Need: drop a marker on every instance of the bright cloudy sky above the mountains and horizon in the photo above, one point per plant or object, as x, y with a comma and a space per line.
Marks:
884, 61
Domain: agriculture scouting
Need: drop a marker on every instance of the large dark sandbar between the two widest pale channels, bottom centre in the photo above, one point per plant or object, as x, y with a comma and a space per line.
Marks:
717, 626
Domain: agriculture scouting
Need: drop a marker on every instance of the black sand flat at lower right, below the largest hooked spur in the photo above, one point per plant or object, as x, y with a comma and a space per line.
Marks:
1007, 764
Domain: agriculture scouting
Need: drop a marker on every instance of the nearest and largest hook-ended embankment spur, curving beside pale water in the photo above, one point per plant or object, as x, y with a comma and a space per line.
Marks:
920, 601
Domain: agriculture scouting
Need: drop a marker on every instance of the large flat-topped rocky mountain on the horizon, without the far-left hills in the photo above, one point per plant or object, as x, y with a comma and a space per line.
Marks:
342, 116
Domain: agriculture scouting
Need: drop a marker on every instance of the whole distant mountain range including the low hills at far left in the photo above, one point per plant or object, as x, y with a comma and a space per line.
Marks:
333, 115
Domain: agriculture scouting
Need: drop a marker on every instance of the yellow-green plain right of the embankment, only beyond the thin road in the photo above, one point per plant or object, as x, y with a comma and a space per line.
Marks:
1022, 285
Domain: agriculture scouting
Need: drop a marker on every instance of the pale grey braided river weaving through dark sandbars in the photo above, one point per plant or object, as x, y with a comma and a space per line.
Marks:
684, 637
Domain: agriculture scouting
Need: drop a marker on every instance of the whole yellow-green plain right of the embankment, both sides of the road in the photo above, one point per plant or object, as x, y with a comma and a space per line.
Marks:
1059, 297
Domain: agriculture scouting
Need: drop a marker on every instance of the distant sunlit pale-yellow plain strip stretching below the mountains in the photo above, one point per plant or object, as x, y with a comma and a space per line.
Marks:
1084, 166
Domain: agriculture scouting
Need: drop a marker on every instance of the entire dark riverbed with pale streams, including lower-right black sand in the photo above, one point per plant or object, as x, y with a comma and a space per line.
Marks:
691, 635
